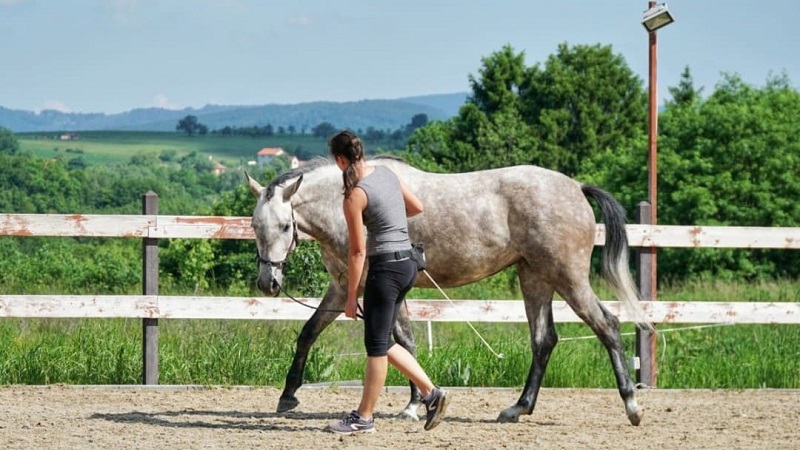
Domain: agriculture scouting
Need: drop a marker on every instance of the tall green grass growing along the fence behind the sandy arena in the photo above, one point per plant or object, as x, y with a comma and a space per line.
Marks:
101, 351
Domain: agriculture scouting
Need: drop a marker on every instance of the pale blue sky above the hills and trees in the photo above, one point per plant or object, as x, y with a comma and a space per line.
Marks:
115, 55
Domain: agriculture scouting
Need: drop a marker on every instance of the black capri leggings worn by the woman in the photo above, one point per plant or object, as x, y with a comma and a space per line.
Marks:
387, 284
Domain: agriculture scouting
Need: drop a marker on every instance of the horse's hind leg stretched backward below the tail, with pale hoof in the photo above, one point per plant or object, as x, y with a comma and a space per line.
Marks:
606, 326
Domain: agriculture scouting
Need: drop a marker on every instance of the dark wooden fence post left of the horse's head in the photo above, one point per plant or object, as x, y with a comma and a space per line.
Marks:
150, 287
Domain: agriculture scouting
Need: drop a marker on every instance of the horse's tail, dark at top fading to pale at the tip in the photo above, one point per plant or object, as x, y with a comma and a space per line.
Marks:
615, 254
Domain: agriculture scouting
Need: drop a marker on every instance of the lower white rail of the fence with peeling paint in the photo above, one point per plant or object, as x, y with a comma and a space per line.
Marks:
279, 308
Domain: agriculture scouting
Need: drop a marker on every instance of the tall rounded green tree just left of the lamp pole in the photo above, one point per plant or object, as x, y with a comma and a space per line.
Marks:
583, 100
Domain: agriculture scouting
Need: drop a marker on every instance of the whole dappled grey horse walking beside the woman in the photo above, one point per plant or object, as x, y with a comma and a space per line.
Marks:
474, 225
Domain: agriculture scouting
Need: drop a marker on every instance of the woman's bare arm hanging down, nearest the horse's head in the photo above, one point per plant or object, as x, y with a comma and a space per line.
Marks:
354, 206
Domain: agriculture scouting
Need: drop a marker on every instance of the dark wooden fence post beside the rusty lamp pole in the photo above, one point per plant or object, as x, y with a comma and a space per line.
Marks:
646, 340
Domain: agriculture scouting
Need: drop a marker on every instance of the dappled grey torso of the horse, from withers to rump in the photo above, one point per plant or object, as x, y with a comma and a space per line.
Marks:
478, 223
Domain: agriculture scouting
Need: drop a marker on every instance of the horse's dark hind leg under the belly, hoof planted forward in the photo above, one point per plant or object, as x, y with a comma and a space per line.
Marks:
538, 297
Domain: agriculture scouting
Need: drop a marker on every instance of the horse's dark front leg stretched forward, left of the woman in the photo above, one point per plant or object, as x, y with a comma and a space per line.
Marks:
324, 316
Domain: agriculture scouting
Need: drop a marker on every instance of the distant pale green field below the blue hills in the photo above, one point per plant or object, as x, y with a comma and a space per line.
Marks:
103, 147
